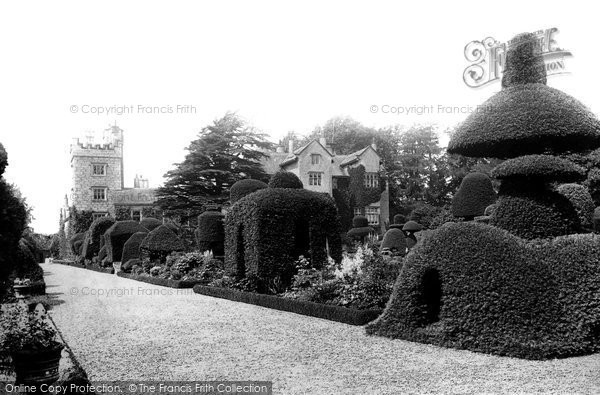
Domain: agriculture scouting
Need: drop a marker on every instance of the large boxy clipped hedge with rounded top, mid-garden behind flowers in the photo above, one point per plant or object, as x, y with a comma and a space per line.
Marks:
266, 231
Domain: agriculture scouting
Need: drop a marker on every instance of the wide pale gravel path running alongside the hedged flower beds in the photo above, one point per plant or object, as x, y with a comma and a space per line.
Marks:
146, 332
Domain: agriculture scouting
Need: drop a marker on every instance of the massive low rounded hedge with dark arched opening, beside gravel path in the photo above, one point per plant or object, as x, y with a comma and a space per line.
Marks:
476, 287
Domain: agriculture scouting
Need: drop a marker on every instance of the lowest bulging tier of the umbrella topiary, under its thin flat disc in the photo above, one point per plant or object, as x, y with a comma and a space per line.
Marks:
531, 211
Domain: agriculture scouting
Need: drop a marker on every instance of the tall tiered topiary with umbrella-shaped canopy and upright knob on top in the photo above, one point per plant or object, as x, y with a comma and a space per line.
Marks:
528, 120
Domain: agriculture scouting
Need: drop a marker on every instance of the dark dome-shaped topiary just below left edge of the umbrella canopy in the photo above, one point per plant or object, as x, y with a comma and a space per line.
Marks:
473, 196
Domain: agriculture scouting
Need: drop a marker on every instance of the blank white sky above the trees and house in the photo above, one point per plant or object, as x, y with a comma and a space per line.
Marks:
281, 65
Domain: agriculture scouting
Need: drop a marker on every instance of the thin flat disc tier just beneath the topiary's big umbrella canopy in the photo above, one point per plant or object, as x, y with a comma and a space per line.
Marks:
541, 167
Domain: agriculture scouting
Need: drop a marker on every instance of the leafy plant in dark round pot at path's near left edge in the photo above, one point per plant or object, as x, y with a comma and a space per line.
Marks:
30, 340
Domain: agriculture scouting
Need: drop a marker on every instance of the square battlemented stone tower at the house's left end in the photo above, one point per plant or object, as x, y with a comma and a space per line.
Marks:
97, 171
